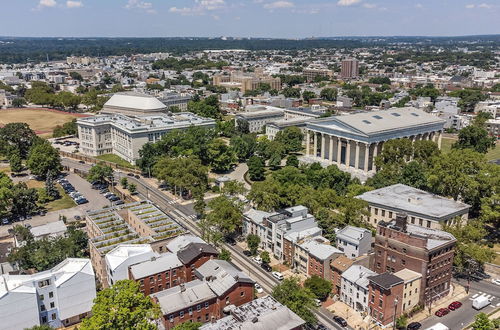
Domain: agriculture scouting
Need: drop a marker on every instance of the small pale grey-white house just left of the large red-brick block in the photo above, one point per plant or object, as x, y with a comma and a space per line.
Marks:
354, 241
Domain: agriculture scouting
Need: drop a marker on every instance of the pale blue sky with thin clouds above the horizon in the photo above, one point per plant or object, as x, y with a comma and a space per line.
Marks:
248, 18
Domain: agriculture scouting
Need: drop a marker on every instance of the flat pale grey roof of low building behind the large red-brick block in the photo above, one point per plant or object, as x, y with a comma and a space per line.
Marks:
416, 201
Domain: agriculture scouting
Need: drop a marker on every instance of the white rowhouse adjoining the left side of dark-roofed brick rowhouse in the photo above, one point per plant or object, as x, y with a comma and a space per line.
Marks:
354, 287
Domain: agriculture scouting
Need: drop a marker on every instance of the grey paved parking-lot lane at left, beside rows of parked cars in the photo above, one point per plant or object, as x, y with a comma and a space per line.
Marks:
96, 201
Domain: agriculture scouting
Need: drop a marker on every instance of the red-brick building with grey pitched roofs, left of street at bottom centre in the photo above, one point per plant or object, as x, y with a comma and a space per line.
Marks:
218, 287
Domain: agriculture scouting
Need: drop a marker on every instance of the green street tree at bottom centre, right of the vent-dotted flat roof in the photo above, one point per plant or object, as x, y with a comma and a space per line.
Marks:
300, 300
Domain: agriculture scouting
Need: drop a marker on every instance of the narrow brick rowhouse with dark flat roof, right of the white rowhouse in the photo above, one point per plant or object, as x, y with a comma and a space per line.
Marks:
386, 292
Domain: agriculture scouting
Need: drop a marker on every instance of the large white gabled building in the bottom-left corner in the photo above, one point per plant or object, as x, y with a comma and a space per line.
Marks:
57, 297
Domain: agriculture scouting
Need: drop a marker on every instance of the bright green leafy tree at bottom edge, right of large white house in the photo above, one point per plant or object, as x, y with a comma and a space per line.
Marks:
122, 306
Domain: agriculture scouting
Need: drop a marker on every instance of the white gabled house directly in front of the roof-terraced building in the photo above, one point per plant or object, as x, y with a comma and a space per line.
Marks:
124, 255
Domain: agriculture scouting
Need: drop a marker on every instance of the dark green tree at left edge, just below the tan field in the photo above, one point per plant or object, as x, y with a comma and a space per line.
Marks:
18, 135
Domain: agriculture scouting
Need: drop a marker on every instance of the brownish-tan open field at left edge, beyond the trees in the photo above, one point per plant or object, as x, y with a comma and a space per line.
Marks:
41, 121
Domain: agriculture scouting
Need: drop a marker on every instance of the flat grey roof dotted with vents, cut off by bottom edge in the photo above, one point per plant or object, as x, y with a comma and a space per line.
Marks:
261, 313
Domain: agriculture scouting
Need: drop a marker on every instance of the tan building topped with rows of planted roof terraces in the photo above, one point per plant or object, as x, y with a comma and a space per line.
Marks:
131, 223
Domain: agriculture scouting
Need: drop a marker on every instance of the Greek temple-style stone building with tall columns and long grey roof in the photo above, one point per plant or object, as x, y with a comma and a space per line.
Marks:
352, 142
